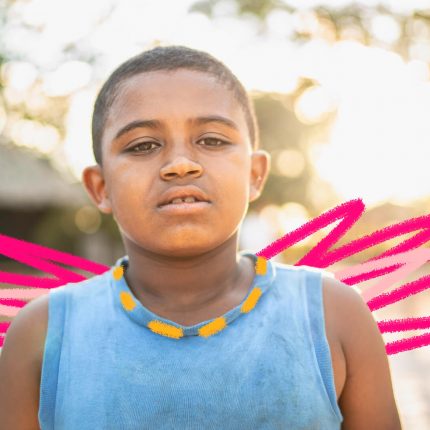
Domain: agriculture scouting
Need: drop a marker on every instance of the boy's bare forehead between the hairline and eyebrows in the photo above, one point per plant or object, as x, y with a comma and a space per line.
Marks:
172, 95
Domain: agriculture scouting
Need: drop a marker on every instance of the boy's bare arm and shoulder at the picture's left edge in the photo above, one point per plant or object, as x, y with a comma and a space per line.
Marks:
20, 367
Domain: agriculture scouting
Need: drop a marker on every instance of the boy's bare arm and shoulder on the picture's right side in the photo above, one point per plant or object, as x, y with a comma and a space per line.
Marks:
367, 400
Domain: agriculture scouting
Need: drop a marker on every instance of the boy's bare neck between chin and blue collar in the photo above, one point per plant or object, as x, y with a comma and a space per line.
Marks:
189, 291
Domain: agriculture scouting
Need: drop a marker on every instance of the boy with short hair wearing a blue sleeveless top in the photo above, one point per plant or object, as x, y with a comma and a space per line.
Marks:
184, 332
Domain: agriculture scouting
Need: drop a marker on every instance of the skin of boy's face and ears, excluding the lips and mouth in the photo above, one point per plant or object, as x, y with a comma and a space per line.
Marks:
177, 148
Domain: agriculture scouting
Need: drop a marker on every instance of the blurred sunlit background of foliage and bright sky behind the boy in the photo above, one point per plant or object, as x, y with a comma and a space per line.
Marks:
342, 95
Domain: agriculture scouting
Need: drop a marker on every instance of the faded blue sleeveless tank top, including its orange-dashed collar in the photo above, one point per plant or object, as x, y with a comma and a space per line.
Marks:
111, 363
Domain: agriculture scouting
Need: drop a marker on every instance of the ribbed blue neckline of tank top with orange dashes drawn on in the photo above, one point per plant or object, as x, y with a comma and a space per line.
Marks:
264, 275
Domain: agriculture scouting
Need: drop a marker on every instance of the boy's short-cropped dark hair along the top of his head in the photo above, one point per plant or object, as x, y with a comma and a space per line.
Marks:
167, 58
